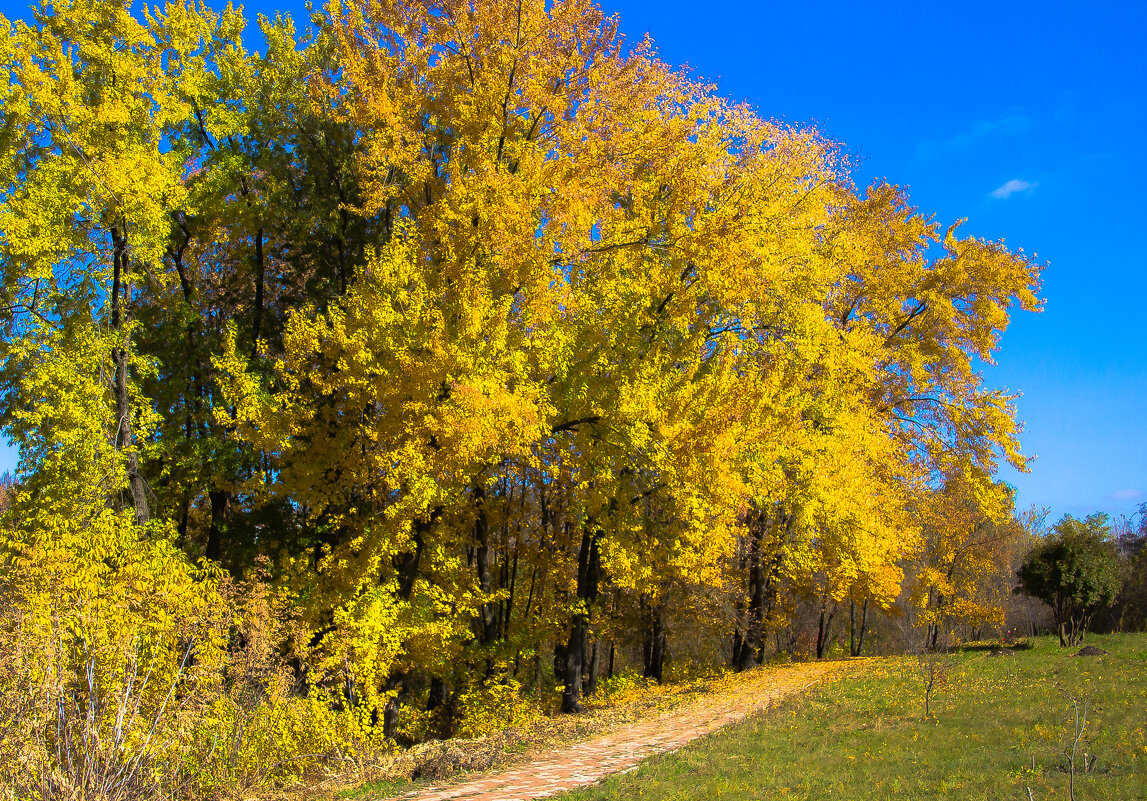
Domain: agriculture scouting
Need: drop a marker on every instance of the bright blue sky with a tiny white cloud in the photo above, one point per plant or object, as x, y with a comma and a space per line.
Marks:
1027, 119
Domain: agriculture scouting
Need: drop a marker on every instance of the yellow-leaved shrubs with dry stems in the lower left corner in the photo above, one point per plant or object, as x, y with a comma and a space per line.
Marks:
129, 673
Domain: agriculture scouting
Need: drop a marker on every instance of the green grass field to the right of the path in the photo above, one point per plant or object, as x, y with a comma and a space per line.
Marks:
1001, 726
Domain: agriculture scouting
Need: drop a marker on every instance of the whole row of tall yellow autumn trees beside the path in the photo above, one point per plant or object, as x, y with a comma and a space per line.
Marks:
506, 346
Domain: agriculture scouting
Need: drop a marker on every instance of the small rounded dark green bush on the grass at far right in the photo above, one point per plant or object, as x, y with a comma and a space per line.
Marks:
1075, 572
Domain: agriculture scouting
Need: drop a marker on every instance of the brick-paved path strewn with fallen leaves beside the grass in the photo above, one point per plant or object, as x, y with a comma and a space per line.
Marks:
557, 772
